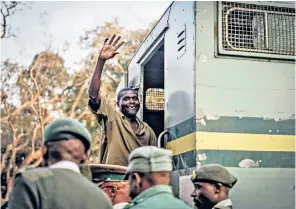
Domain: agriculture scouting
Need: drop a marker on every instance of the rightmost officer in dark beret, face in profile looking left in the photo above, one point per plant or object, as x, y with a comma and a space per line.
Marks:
212, 183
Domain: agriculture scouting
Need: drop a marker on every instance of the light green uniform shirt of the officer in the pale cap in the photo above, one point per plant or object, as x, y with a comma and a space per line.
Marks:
157, 197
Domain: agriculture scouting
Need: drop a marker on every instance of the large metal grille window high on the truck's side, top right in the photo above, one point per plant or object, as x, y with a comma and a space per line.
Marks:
258, 28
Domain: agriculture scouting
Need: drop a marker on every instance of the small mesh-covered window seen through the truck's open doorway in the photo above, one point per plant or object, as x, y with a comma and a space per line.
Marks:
154, 99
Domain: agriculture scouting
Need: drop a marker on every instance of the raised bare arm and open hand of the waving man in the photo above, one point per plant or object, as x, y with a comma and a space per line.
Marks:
107, 52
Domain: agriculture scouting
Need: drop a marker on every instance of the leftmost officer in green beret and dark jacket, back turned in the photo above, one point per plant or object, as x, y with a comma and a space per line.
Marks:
61, 185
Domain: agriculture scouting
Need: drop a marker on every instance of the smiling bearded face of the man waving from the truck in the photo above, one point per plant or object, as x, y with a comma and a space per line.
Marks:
129, 103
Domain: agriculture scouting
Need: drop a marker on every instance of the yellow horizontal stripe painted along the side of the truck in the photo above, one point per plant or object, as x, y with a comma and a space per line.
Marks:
233, 141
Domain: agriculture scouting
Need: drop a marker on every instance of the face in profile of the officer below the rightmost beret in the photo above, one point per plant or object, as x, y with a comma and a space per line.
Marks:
204, 195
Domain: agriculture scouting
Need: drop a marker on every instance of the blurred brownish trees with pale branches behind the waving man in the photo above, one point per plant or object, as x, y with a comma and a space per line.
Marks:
32, 97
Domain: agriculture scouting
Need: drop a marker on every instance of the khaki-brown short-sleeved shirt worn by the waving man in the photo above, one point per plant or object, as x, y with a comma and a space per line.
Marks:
118, 138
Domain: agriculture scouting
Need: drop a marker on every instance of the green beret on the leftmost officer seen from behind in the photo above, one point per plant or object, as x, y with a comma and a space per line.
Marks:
67, 128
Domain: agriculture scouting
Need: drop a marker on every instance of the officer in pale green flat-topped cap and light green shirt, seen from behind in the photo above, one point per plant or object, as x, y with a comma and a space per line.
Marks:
149, 176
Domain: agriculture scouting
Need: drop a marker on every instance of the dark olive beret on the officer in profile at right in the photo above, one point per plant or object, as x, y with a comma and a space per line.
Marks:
213, 173
